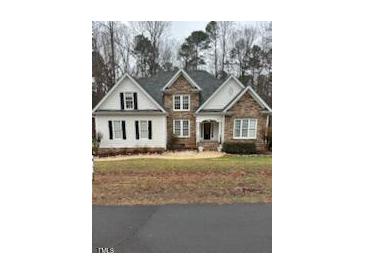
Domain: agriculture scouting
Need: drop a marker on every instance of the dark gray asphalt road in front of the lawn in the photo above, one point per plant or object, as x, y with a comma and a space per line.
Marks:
183, 228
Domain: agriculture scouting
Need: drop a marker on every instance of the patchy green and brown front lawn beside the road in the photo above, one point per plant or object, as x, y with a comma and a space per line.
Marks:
228, 179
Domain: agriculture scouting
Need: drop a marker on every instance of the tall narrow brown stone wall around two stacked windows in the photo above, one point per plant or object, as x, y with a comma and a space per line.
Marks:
181, 86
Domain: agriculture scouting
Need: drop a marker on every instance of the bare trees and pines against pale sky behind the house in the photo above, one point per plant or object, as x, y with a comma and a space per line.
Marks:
145, 48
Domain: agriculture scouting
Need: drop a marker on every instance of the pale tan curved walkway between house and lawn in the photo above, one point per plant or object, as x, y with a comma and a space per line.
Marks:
182, 155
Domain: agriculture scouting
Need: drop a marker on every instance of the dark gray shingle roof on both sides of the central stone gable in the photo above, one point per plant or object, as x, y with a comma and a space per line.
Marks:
207, 82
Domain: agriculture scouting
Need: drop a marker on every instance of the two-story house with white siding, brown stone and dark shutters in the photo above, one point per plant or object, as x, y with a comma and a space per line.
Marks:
180, 109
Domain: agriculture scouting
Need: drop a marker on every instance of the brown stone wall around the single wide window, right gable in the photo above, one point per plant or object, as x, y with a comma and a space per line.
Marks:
246, 107
